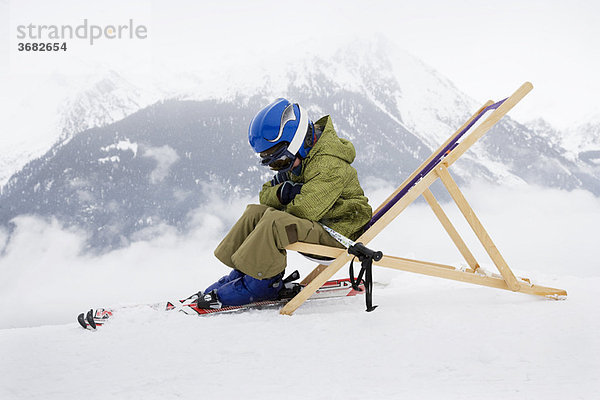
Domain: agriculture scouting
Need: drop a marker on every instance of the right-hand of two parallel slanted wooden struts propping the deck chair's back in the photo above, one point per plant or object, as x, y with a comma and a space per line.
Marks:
477, 227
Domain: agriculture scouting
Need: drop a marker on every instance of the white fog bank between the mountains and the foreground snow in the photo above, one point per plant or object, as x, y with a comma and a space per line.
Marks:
547, 235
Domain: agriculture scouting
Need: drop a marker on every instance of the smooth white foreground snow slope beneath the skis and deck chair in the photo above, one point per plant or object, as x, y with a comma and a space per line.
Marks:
426, 340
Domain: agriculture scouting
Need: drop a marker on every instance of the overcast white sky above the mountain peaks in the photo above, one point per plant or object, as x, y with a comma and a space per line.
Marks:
487, 48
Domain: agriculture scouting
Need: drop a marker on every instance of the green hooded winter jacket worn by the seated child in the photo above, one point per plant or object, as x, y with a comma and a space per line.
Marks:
331, 193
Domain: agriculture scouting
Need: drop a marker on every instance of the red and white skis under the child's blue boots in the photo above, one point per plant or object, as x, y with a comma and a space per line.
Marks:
95, 318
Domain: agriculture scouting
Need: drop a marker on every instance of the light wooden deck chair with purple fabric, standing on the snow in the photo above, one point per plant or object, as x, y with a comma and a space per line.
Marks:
417, 184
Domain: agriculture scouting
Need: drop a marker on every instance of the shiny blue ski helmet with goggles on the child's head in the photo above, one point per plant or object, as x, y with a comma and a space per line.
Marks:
278, 133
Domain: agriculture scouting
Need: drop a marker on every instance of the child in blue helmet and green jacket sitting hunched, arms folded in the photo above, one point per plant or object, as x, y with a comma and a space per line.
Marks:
315, 184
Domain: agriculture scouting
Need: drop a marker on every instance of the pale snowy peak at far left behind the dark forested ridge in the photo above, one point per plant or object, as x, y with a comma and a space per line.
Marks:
53, 112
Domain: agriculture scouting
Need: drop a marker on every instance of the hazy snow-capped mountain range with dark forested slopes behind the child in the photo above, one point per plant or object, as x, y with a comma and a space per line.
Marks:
125, 179
